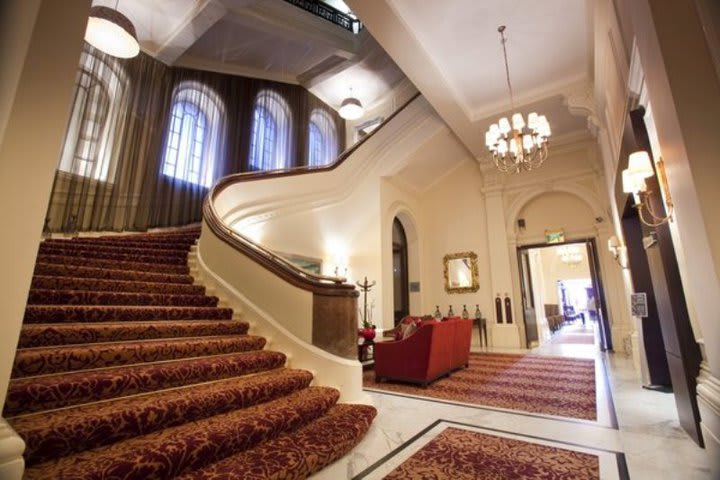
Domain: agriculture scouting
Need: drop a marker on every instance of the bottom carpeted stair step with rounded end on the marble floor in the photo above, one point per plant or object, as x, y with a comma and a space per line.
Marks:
304, 451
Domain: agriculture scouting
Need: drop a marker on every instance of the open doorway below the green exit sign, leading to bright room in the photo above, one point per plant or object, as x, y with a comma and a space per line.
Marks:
563, 300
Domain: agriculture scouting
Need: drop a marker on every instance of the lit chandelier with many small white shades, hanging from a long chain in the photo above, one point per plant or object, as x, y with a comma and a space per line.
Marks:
517, 145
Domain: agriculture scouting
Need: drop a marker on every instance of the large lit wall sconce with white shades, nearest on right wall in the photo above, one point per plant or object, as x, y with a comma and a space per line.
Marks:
640, 168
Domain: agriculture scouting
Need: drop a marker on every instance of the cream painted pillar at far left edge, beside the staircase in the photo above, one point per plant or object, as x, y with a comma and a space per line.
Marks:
31, 144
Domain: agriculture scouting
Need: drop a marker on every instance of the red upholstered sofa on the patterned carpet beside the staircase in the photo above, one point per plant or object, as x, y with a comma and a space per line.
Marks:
434, 350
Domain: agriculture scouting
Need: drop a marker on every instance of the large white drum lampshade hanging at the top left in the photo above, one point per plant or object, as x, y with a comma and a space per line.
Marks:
111, 32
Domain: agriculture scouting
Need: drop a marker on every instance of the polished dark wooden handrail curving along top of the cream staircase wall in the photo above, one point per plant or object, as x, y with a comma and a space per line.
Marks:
320, 284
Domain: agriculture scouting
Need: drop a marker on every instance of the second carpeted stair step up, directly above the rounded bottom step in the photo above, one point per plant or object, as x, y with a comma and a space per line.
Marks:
169, 452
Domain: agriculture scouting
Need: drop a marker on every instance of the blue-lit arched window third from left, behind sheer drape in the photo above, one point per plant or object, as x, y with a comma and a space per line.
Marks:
270, 138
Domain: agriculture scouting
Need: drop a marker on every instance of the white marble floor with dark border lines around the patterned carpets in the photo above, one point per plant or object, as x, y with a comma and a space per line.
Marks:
637, 434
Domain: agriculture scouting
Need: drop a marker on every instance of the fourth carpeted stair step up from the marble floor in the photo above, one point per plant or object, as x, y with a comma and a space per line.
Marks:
28, 395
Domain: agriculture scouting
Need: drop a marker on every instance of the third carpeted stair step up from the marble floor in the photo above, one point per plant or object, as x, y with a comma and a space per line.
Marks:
62, 432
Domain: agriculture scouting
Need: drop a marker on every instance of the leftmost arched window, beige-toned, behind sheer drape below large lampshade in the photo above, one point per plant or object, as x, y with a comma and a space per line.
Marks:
88, 143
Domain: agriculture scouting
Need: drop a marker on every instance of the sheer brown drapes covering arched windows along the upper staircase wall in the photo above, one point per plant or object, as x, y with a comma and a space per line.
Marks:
145, 141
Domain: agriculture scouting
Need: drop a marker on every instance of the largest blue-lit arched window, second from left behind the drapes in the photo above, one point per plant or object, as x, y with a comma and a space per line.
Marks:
194, 136
